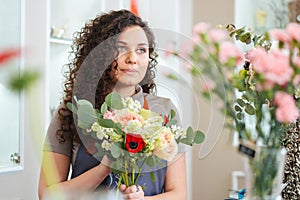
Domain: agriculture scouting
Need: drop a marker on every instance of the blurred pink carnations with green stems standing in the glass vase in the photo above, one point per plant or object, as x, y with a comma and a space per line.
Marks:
256, 79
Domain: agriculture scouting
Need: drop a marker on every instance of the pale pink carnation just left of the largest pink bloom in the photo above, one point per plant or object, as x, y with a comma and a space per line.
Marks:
229, 51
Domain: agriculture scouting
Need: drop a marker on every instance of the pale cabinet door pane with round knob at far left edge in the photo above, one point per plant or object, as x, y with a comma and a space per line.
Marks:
10, 23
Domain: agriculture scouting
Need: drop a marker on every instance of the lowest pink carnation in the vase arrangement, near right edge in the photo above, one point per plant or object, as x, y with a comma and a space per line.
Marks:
286, 111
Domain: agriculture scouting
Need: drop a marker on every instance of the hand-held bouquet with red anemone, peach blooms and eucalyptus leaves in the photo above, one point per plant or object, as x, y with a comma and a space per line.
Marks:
131, 136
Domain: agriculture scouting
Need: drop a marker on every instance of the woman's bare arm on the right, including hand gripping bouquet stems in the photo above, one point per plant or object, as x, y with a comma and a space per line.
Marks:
175, 184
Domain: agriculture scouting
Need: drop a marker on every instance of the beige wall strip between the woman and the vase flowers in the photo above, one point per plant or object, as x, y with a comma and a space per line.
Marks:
216, 158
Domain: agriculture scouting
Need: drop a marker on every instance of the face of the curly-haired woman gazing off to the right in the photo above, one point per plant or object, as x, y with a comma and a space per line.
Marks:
133, 59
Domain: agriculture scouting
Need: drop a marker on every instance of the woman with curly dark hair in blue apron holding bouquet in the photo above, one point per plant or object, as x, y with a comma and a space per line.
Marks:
113, 52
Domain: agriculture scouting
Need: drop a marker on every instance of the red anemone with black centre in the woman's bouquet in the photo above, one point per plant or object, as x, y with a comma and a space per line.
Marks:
134, 143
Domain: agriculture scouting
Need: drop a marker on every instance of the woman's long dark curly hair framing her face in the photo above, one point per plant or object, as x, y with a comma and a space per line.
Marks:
88, 75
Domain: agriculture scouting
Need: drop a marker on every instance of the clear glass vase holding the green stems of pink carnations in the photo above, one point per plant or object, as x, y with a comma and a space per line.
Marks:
264, 174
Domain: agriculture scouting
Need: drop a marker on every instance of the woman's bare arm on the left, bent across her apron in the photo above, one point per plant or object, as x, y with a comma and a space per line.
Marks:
54, 176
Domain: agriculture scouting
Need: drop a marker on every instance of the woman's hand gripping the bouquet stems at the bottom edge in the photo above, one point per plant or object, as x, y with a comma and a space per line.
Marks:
134, 192
